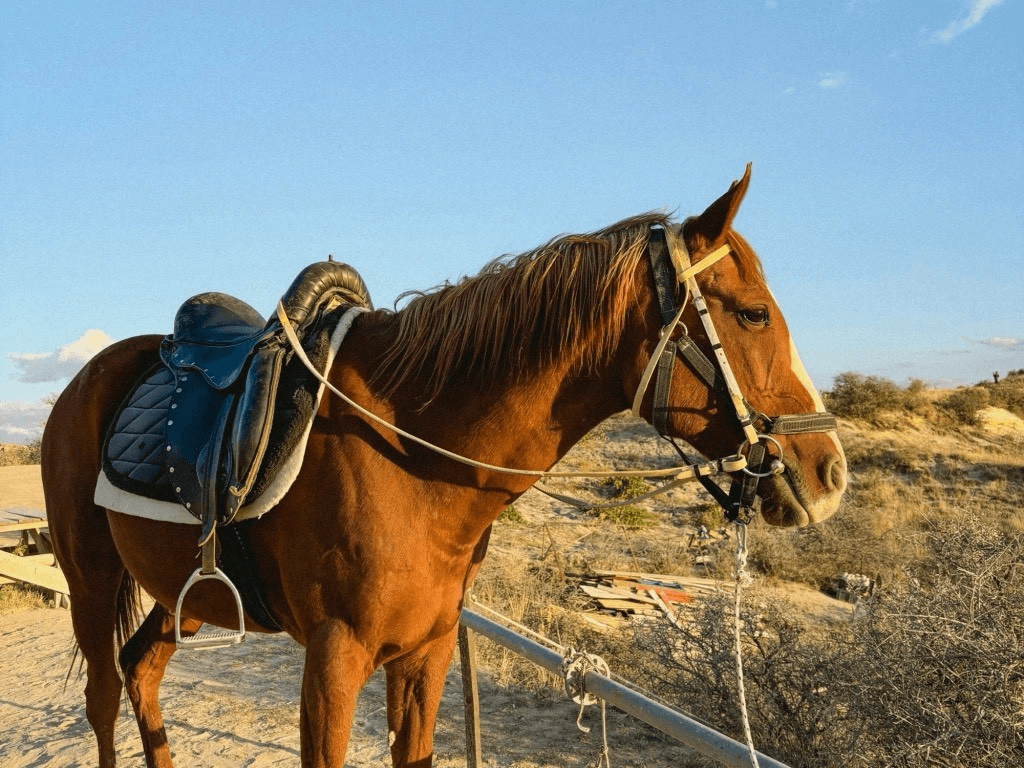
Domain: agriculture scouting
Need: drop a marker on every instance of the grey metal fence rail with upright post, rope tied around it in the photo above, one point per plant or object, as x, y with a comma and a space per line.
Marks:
698, 737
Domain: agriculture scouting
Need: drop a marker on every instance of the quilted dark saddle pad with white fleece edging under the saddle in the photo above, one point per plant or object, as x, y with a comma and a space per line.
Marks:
135, 480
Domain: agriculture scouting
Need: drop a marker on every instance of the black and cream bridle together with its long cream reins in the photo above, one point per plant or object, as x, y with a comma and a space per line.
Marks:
671, 266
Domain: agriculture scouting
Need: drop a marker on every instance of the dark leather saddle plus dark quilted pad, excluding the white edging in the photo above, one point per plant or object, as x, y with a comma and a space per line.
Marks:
210, 424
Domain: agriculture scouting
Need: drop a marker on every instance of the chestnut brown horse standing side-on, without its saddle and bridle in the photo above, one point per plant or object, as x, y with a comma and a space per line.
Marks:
368, 558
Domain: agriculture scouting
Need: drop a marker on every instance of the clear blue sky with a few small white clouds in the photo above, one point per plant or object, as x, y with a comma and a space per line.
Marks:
153, 151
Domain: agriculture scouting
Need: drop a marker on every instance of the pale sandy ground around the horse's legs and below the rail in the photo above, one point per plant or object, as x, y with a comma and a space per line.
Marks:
239, 707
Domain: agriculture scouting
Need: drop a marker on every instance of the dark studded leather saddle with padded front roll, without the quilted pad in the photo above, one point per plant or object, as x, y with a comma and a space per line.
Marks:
227, 364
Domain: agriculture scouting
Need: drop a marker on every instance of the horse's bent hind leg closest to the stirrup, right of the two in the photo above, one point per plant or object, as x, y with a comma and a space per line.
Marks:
144, 660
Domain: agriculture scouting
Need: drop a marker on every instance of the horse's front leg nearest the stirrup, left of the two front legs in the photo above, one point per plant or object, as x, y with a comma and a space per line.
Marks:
335, 671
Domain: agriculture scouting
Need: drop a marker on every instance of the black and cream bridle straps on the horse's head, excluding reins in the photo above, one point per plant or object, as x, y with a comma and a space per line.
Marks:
672, 268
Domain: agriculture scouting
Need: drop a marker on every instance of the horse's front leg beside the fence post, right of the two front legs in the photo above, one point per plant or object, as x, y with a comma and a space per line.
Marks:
415, 684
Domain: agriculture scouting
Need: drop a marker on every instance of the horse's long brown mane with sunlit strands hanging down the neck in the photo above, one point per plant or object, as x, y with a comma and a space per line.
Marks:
521, 312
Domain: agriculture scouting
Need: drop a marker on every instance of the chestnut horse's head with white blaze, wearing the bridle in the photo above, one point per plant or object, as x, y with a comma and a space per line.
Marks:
707, 400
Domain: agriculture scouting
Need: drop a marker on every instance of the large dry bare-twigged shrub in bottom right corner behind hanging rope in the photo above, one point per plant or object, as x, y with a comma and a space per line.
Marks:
931, 673
